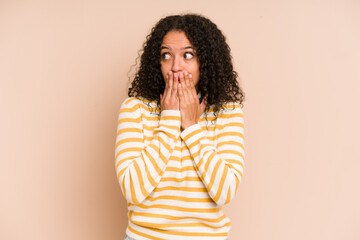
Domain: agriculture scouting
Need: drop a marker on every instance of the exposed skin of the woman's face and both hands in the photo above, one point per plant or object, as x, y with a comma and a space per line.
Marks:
180, 69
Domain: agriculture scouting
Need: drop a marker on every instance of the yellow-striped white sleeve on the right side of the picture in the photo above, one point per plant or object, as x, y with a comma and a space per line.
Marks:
220, 165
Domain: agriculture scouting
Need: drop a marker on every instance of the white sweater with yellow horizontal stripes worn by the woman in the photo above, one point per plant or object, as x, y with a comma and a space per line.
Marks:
176, 181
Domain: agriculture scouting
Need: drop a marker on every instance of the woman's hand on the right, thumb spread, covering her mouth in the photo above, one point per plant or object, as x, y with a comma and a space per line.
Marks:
190, 107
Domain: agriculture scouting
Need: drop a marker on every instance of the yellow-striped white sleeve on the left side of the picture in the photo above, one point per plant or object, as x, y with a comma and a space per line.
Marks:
139, 168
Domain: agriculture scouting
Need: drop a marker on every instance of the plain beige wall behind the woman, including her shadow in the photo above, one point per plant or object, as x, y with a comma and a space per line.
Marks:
63, 72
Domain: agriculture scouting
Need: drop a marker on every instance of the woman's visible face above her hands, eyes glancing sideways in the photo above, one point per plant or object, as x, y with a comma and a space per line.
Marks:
178, 55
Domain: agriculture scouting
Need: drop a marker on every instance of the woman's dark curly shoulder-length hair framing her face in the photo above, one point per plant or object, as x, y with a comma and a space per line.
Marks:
218, 80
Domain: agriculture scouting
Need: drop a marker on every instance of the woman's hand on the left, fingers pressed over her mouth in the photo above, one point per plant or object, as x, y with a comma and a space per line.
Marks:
170, 100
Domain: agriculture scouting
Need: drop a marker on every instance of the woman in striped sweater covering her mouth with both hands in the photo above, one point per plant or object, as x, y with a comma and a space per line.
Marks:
180, 143
